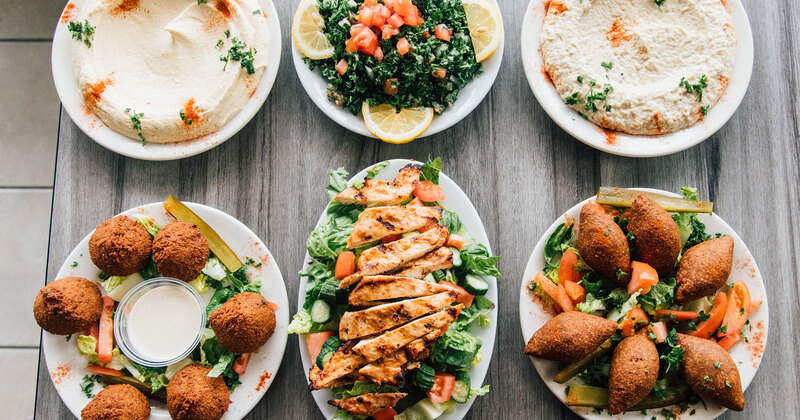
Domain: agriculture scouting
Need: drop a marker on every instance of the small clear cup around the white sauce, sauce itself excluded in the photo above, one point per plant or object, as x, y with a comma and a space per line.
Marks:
123, 312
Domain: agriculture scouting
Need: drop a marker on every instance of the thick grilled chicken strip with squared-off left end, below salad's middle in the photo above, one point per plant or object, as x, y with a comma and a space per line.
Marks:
389, 315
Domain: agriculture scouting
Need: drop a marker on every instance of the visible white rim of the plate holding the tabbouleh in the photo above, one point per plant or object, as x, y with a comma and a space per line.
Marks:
468, 98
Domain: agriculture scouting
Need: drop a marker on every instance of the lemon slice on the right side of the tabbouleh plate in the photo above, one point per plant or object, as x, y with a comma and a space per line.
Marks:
485, 27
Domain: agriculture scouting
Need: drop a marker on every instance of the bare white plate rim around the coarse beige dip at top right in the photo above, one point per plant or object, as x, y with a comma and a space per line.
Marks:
622, 144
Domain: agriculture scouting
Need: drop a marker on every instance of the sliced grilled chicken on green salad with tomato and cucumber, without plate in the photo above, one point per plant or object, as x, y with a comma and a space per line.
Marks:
398, 340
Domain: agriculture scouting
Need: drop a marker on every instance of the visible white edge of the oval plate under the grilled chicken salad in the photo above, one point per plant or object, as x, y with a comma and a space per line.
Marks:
457, 202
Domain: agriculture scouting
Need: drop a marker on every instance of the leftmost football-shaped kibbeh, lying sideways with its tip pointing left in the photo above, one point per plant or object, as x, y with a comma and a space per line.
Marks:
570, 336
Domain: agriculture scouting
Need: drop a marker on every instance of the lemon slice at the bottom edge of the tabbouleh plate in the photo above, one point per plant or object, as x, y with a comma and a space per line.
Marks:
396, 127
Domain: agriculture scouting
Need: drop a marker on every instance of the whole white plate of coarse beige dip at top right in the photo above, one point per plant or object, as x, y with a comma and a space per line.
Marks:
638, 78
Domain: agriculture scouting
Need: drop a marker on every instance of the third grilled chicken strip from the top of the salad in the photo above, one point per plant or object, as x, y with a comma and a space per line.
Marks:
393, 255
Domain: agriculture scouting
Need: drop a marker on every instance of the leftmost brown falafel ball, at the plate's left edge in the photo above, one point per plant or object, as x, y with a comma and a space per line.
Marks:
67, 306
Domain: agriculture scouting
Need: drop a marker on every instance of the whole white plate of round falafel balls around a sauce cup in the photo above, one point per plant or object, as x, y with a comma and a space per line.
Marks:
168, 310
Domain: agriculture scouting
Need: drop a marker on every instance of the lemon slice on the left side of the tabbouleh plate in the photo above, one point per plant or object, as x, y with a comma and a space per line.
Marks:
307, 32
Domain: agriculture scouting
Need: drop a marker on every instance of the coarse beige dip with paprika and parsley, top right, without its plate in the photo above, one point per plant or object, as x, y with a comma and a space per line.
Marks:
630, 66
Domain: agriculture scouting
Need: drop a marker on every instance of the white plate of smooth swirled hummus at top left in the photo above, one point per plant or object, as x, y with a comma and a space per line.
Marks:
162, 80
